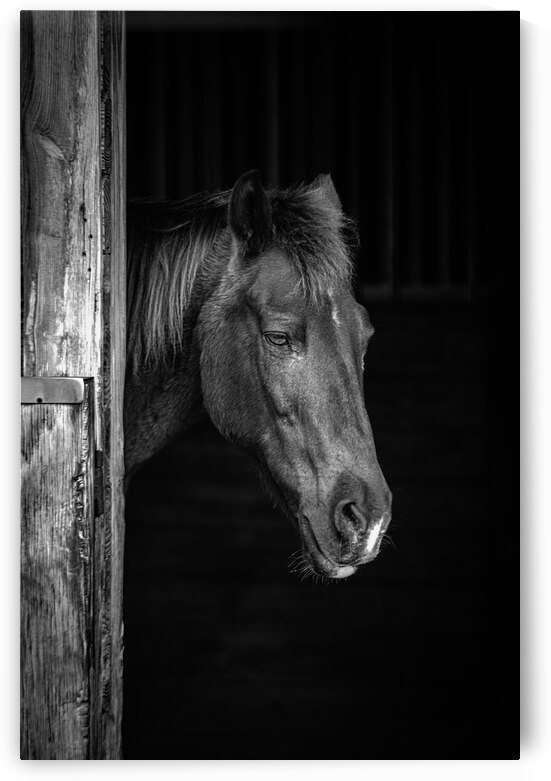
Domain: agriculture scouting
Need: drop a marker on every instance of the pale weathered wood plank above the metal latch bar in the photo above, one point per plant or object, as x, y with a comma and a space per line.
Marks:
61, 220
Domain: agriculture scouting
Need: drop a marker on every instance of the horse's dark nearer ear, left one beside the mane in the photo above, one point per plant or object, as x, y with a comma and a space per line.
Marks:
250, 214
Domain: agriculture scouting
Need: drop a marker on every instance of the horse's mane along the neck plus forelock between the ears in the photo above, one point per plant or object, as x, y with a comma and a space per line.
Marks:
174, 246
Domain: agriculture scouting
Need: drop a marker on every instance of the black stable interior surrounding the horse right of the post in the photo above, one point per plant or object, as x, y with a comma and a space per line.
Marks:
228, 654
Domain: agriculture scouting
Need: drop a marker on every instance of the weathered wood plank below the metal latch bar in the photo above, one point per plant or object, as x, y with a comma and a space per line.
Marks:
56, 544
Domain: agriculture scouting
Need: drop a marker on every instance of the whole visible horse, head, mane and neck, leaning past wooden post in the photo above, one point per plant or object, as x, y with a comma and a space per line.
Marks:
241, 306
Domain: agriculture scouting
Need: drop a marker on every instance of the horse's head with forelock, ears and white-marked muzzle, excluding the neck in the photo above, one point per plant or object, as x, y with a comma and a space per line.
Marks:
282, 343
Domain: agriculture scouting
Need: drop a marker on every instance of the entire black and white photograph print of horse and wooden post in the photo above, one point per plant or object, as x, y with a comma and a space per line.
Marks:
270, 272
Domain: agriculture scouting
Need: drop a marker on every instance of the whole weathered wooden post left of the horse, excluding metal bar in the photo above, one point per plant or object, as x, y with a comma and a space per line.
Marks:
73, 323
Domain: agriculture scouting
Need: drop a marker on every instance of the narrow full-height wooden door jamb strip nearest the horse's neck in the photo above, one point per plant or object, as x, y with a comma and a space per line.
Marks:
109, 541
